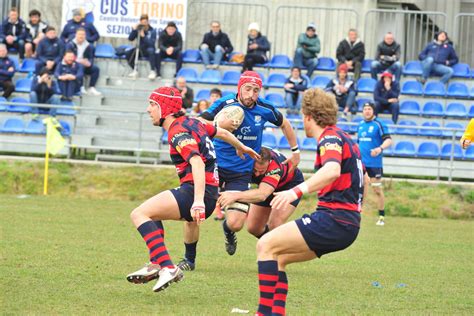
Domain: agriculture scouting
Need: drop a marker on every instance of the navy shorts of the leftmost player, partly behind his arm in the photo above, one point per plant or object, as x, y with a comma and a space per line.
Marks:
184, 195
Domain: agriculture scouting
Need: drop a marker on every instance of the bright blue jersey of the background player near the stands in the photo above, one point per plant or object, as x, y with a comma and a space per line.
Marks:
371, 134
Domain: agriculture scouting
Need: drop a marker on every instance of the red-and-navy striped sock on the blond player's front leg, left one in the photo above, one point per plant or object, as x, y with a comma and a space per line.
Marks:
267, 279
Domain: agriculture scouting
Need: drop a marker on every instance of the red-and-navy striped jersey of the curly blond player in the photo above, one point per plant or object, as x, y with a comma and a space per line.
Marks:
346, 192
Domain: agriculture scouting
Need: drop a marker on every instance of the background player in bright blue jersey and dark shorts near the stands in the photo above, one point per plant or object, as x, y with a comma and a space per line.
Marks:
373, 138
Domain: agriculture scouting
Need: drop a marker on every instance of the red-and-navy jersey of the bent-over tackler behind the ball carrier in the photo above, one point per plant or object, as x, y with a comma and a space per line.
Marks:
277, 173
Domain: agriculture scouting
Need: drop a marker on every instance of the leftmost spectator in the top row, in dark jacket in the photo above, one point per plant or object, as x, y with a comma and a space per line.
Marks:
13, 32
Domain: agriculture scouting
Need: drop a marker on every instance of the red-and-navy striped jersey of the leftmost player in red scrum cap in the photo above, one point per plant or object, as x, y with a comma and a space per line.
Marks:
189, 137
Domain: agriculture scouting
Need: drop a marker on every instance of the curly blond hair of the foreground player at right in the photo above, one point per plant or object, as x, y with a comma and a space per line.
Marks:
321, 106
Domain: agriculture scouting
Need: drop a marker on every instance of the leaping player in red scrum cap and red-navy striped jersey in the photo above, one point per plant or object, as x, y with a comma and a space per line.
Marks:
194, 157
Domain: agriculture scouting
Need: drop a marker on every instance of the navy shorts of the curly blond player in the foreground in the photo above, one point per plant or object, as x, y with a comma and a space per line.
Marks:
324, 234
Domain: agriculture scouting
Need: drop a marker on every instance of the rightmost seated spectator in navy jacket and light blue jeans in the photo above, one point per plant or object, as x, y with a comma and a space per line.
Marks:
438, 58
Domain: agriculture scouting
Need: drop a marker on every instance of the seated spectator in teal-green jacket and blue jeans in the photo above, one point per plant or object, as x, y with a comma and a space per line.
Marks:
307, 50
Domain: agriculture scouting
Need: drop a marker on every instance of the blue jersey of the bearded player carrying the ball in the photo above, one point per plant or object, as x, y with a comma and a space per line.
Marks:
249, 132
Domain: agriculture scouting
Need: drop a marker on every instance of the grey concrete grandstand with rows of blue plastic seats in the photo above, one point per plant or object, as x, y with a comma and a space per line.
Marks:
115, 126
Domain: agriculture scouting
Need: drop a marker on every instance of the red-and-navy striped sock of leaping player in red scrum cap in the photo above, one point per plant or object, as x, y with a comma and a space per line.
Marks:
152, 233
